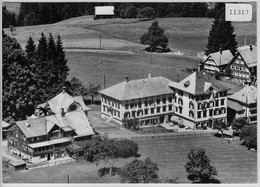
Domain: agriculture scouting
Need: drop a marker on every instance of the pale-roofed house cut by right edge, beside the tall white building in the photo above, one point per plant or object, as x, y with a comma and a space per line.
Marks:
243, 104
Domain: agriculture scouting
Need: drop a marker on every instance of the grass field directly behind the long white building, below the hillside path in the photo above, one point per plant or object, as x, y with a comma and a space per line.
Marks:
90, 67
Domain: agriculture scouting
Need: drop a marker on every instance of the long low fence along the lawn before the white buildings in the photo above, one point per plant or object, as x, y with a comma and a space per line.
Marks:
168, 136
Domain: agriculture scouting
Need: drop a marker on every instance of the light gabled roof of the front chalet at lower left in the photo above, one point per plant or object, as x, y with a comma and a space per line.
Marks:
76, 120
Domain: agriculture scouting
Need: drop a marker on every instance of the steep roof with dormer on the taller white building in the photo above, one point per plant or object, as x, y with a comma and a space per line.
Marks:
199, 83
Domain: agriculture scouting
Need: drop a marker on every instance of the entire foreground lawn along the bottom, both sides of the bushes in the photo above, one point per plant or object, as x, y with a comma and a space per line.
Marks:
234, 163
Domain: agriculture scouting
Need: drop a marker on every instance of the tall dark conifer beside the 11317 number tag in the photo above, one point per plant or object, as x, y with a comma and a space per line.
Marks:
221, 34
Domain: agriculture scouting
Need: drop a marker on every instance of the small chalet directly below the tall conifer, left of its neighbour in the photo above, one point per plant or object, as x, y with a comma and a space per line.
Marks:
218, 61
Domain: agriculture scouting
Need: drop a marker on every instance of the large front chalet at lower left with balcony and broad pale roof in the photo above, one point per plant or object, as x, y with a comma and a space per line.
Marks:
44, 139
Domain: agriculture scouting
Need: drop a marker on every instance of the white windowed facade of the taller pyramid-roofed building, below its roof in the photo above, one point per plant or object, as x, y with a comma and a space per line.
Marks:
199, 111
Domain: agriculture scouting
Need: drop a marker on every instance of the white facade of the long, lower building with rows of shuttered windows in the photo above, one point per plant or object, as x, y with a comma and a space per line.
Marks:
149, 110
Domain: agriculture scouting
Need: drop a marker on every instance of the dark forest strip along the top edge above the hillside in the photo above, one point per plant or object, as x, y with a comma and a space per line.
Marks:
46, 13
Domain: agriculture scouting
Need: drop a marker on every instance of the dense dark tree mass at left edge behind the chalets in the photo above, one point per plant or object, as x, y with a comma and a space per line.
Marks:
35, 75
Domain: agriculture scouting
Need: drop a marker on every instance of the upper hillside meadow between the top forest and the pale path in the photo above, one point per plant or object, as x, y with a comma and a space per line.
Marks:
188, 35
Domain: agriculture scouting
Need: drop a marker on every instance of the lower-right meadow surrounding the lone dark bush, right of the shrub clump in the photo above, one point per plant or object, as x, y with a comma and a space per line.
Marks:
234, 163
